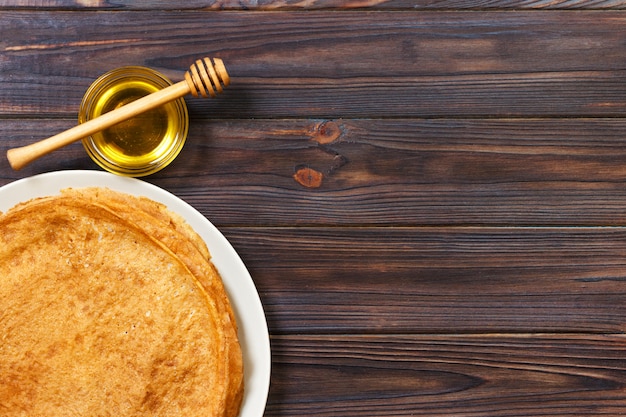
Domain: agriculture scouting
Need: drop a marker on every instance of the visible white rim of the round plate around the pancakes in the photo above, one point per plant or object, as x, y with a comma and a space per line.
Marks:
253, 332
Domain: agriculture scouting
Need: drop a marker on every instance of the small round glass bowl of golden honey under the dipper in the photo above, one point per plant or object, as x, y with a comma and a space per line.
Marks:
143, 144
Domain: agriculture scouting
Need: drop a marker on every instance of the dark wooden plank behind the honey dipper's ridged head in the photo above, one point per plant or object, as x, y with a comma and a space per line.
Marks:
344, 64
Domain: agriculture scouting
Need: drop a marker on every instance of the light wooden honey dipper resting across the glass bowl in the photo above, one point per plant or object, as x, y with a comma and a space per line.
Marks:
205, 78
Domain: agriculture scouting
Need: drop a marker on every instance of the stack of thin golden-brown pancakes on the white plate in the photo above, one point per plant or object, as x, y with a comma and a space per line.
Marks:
110, 306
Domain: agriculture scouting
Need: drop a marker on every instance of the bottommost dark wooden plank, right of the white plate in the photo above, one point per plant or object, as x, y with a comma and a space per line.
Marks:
452, 375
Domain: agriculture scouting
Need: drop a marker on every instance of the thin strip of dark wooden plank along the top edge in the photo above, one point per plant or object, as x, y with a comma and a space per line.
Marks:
315, 4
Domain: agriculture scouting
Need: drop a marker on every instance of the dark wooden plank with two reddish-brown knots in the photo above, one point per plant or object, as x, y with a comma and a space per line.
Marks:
382, 172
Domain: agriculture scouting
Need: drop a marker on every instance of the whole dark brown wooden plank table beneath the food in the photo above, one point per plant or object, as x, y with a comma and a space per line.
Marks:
430, 196
